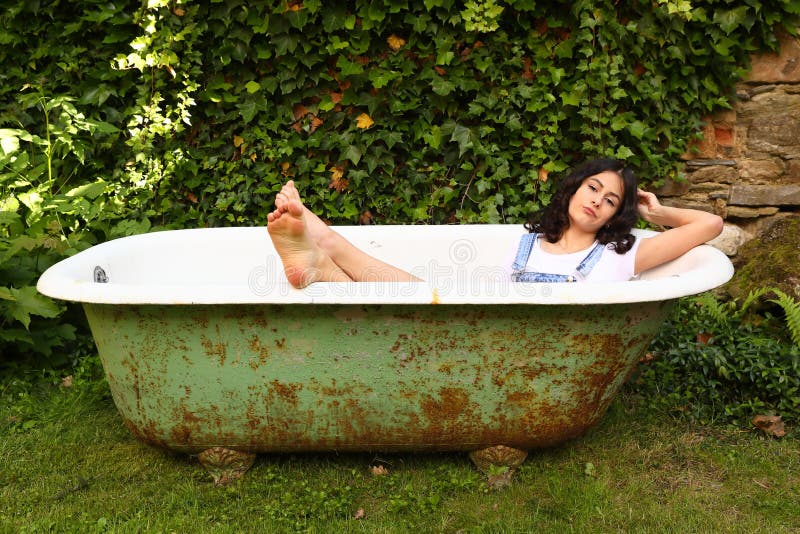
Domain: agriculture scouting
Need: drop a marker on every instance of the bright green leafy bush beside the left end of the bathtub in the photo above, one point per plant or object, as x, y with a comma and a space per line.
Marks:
41, 222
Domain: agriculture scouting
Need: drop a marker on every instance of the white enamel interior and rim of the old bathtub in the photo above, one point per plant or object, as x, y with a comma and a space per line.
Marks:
460, 264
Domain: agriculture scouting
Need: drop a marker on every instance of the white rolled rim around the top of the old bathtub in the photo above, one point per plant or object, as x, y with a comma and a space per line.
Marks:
707, 268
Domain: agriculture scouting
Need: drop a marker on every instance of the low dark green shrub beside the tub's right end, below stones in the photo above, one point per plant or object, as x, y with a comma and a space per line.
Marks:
723, 362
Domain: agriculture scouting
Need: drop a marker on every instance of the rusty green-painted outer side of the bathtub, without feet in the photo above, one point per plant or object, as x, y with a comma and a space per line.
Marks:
265, 378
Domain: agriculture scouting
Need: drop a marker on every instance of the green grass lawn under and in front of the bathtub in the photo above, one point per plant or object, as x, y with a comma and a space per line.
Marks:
68, 465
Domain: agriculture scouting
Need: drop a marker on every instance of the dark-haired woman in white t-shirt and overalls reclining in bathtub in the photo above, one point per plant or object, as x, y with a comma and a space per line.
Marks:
583, 235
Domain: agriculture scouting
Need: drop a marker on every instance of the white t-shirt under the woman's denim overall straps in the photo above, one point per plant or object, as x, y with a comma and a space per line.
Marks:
611, 267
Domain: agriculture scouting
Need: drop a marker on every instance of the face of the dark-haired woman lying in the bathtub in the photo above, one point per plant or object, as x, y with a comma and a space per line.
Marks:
597, 200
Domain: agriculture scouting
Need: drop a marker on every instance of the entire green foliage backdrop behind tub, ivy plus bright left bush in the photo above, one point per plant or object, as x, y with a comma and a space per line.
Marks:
123, 117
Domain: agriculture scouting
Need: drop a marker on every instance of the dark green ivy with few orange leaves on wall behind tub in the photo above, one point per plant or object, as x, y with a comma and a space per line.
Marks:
440, 112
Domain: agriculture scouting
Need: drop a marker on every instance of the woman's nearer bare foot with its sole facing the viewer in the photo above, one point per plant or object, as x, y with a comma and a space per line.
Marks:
303, 261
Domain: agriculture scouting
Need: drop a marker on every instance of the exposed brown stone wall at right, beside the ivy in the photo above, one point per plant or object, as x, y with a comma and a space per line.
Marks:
747, 167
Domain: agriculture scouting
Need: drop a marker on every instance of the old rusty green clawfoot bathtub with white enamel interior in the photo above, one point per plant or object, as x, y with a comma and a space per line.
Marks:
208, 350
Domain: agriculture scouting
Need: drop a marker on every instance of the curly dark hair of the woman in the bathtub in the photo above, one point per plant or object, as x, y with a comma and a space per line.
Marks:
553, 220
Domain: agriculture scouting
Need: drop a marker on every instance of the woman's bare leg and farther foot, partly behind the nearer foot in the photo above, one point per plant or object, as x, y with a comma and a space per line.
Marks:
357, 264
